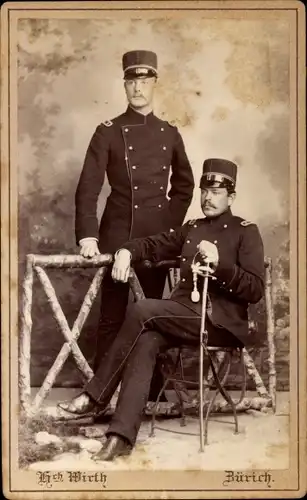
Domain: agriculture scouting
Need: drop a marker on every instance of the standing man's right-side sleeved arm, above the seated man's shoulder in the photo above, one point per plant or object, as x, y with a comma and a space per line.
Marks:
182, 182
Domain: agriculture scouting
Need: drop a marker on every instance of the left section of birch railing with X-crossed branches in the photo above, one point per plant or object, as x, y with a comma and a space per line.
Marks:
37, 263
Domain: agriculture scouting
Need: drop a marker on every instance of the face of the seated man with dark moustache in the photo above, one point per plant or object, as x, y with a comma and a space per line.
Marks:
215, 201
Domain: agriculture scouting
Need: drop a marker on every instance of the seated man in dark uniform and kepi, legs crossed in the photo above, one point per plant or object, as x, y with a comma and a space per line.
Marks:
234, 249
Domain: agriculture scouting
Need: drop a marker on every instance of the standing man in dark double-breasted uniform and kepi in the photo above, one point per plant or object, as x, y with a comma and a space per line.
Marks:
137, 151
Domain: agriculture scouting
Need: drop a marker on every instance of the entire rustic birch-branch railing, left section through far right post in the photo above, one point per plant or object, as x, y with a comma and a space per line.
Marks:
39, 263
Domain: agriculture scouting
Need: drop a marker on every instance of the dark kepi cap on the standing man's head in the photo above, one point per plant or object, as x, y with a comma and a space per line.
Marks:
140, 63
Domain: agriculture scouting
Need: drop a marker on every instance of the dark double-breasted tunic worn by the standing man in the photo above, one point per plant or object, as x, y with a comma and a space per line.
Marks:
138, 153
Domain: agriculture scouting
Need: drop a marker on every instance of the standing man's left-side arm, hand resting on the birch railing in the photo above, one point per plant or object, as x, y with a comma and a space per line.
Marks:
88, 190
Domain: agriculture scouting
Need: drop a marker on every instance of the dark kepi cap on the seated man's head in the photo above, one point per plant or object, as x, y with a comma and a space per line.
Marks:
218, 172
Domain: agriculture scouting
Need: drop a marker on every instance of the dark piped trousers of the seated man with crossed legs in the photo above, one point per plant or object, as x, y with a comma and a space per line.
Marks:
150, 327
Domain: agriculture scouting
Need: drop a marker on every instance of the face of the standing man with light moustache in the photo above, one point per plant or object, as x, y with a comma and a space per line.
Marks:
140, 91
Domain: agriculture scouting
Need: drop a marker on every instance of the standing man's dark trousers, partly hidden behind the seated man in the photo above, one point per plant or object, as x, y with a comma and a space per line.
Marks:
114, 301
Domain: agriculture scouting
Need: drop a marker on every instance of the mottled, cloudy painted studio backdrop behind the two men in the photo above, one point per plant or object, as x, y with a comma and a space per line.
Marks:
224, 83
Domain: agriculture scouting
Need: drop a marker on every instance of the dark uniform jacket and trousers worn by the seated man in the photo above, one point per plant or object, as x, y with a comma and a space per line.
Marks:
153, 325
